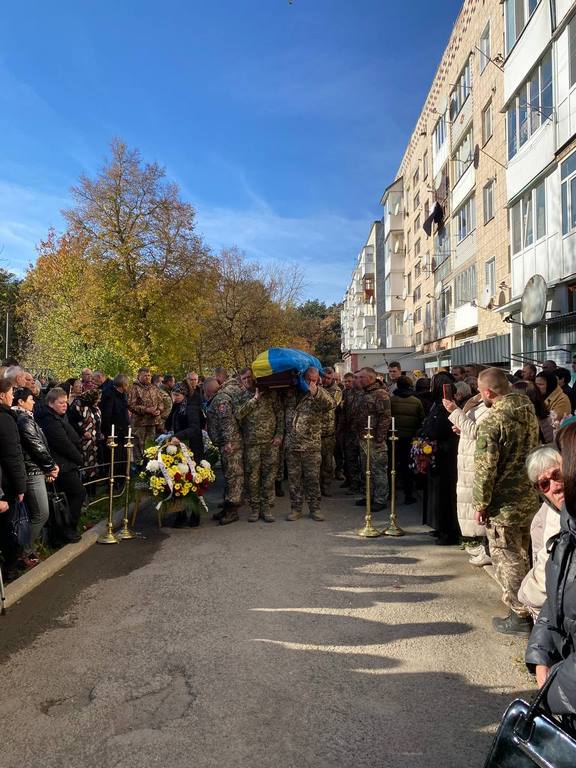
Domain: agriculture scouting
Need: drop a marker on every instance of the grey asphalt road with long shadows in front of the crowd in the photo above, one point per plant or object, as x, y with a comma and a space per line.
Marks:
256, 645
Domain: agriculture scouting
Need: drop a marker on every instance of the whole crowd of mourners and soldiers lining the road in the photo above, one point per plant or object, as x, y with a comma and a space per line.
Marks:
491, 455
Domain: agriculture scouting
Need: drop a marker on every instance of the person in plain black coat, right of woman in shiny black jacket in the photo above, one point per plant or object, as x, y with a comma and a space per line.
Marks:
64, 444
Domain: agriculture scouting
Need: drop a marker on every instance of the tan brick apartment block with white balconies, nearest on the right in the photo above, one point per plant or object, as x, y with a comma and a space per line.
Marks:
485, 196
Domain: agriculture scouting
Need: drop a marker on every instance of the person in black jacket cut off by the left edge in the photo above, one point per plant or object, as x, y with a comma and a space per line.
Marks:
13, 478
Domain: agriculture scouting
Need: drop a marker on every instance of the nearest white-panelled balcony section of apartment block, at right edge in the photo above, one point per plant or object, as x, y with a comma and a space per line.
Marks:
540, 108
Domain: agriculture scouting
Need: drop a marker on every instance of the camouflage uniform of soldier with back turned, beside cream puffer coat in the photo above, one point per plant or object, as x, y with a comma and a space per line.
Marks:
502, 488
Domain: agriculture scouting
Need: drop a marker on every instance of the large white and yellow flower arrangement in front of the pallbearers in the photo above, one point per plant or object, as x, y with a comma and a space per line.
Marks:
170, 470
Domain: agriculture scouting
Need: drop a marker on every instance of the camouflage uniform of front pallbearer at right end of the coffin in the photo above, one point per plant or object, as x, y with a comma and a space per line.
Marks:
304, 417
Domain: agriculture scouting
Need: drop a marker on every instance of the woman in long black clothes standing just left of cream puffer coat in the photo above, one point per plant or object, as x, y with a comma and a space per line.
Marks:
440, 512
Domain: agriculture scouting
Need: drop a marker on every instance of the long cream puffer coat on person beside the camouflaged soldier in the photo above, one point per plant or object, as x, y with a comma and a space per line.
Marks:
467, 421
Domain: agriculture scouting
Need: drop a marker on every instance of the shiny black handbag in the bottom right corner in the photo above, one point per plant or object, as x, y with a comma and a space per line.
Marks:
529, 736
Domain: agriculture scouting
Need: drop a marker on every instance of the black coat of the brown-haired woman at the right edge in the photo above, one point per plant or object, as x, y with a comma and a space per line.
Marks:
553, 639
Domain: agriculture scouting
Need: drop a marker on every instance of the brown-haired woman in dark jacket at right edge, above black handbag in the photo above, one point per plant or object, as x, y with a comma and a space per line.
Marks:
553, 640
